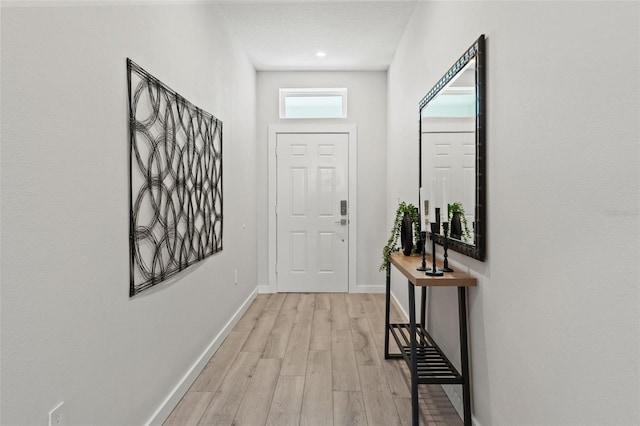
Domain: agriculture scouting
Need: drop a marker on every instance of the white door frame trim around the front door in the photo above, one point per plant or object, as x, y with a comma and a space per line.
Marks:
274, 130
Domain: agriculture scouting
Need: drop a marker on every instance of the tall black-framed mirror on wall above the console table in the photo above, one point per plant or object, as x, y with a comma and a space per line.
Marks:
452, 146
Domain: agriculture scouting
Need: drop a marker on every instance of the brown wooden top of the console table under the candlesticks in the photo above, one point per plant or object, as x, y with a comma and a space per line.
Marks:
408, 264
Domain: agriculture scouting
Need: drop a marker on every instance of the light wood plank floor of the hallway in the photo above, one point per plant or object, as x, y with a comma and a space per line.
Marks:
309, 359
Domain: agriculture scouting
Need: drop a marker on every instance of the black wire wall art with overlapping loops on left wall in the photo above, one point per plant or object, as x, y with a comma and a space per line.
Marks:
175, 181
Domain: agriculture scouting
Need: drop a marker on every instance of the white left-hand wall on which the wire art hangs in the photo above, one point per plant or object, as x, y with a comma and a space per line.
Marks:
69, 329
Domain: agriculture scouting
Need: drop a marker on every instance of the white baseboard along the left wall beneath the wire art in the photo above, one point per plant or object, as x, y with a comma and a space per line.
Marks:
174, 397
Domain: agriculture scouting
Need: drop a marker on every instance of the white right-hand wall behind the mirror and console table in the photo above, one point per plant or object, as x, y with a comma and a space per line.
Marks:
554, 320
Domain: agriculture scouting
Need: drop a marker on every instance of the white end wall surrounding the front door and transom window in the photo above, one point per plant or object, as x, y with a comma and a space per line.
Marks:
367, 101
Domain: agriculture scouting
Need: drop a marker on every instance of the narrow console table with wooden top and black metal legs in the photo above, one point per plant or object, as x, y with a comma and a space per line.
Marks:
427, 363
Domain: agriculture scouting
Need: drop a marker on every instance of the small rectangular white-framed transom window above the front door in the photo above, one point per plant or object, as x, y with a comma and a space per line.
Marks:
313, 103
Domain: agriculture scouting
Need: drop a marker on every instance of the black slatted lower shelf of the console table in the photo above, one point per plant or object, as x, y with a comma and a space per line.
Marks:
433, 365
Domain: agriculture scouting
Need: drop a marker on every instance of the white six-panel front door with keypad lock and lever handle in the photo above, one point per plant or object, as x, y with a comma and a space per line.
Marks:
312, 209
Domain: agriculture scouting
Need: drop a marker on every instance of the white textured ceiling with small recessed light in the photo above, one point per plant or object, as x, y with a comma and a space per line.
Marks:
286, 34
